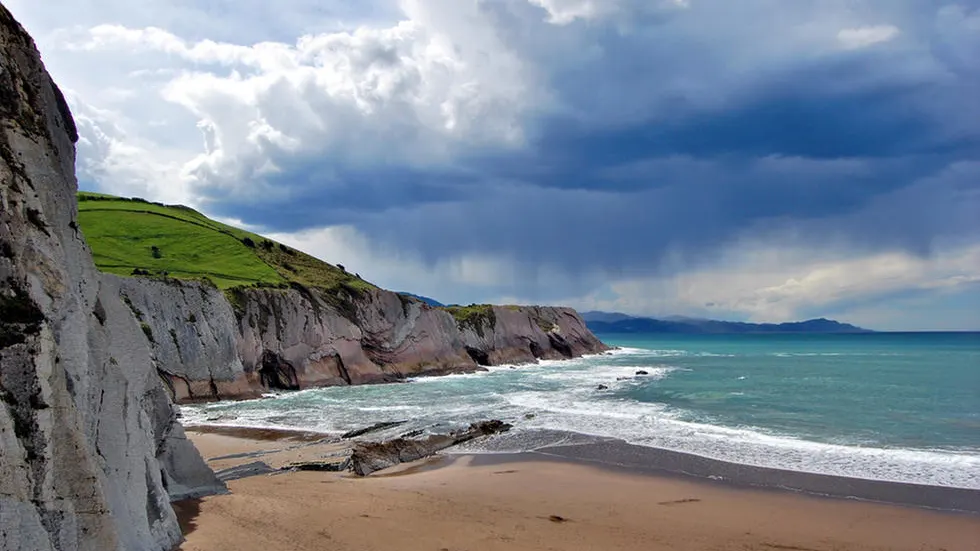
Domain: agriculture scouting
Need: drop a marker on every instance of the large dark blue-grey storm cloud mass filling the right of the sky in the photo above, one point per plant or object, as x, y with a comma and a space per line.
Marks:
865, 147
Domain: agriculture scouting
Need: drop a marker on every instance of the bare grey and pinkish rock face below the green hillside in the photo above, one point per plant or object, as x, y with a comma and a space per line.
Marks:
210, 348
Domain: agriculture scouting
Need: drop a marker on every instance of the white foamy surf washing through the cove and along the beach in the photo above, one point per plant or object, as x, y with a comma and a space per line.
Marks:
564, 397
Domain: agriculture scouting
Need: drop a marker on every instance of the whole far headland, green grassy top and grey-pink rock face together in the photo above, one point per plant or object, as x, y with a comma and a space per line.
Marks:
232, 314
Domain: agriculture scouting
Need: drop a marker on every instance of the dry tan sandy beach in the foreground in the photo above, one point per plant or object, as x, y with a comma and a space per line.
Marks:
459, 503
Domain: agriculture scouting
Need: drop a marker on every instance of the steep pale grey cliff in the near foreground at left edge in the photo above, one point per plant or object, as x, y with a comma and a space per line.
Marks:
90, 449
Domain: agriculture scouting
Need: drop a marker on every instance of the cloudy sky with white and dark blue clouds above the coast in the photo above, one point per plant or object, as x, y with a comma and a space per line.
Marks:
759, 160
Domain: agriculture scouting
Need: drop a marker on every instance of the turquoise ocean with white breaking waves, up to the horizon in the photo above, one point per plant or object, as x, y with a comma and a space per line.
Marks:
901, 407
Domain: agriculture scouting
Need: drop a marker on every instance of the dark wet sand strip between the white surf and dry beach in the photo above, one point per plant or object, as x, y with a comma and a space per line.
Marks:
617, 455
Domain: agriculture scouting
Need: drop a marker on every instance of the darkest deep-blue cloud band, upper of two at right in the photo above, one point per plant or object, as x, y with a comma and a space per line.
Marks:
794, 120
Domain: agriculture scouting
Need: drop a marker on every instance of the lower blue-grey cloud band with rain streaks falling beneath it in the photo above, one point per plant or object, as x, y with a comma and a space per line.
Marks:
630, 234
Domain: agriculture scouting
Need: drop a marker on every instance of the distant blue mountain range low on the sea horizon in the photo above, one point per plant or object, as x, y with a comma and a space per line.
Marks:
615, 322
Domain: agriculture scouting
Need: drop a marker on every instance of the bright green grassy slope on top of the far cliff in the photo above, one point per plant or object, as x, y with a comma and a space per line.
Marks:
133, 237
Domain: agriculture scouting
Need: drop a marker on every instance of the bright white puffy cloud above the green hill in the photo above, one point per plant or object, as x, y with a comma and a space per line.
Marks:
415, 92
